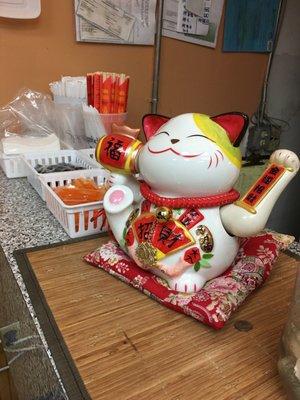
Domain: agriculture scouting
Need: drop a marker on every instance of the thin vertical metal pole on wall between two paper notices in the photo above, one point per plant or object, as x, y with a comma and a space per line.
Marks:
155, 82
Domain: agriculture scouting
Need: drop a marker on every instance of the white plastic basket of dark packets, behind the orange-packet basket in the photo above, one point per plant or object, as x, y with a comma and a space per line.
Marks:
50, 158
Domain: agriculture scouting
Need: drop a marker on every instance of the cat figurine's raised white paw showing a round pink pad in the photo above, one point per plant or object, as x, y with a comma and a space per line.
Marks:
117, 199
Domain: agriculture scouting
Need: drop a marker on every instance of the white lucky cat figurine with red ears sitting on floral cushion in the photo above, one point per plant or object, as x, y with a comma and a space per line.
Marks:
181, 219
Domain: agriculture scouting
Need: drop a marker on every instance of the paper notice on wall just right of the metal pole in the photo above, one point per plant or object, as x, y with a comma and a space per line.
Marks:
194, 21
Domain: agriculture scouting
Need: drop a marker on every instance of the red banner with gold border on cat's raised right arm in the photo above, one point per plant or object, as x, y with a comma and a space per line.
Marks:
259, 190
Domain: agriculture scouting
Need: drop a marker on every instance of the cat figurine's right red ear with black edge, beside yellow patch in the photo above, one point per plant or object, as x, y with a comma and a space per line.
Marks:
235, 124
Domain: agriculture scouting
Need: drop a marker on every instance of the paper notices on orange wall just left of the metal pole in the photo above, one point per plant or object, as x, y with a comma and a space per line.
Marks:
115, 21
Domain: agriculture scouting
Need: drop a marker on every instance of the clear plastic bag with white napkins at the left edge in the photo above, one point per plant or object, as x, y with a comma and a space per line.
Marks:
28, 124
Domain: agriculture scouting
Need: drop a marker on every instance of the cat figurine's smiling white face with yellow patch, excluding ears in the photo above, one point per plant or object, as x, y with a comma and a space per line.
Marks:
189, 155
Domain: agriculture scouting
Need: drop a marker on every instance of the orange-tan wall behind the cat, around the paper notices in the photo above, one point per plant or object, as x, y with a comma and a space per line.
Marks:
193, 78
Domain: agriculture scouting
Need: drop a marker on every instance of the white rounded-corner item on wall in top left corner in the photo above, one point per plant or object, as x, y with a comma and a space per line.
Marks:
21, 9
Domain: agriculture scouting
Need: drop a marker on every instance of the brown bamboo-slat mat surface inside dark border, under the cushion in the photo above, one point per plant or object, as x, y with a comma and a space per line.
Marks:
127, 346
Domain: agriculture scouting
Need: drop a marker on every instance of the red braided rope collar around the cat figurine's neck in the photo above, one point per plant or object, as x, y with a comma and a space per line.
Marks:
189, 202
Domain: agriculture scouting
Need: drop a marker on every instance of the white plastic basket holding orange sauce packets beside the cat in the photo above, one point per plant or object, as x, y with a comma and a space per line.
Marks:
76, 220
